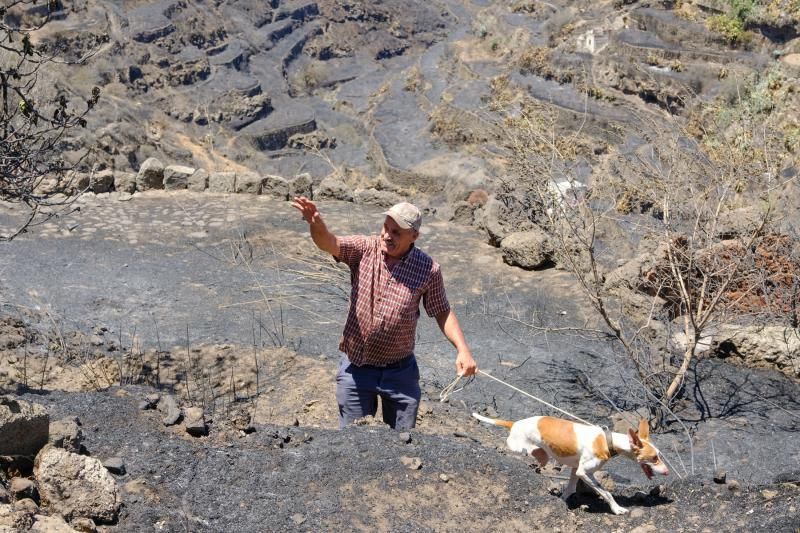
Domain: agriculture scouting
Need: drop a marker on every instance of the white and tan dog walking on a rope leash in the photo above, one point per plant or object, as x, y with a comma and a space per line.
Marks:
582, 448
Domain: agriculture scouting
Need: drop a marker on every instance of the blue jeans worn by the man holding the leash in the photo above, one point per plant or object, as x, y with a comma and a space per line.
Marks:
358, 389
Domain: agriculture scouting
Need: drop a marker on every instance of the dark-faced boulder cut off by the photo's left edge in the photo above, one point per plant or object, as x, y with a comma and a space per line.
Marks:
23, 427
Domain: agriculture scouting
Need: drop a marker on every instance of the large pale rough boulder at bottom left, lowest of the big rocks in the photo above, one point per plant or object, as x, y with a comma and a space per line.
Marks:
75, 485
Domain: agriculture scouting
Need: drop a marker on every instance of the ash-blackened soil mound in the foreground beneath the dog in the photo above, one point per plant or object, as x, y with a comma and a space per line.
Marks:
312, 479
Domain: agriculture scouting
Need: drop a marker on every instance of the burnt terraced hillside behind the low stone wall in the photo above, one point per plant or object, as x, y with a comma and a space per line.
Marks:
407, 91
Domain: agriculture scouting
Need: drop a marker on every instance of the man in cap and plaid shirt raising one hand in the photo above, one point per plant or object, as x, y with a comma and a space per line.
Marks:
389, 277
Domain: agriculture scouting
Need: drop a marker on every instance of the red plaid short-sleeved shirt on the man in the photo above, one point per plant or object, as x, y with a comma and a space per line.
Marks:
384, 305
